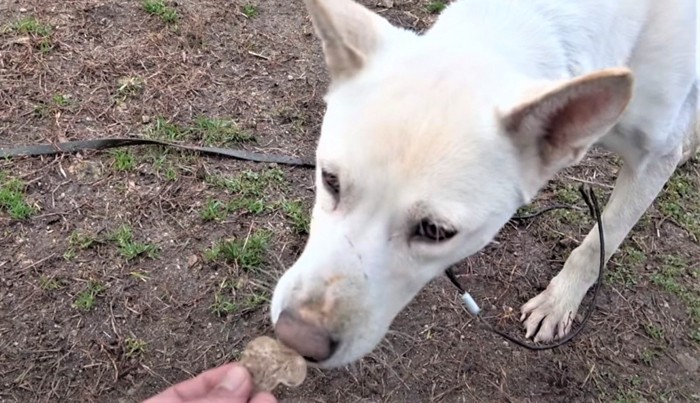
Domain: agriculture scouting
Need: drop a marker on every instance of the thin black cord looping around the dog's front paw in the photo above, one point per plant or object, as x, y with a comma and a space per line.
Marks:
594, 209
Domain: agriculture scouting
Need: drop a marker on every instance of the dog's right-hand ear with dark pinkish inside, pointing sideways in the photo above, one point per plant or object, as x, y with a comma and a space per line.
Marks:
559, 126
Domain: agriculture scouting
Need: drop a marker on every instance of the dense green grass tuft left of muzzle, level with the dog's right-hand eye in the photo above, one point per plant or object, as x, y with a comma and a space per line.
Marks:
248, 254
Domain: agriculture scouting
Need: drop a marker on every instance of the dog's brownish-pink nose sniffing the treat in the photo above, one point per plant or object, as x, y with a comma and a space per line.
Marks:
311, 340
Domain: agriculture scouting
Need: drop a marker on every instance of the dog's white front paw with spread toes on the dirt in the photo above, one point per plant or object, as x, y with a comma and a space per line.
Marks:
549, 315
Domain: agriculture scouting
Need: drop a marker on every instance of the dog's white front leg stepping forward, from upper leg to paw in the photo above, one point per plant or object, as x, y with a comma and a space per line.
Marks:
634, 192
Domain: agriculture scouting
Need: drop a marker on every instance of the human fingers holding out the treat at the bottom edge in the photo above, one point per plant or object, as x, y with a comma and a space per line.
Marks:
230, 383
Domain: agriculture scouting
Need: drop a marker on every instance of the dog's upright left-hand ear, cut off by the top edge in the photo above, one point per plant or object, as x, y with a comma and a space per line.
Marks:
350, 33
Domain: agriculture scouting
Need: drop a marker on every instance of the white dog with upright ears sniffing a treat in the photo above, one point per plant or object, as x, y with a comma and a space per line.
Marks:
431, 142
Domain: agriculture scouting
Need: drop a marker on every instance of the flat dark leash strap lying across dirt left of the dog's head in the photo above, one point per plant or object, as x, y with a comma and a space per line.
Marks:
101, 144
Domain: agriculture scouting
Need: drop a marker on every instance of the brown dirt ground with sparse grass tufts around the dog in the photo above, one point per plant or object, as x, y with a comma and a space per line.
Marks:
123, 272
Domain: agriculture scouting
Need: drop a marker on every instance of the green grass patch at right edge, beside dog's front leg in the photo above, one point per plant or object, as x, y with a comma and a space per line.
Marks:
681, 202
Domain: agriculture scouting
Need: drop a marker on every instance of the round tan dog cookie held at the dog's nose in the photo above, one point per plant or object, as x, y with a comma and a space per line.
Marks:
272, 363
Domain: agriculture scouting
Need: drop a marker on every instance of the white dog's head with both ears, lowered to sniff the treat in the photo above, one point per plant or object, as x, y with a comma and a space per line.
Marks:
426, 151
